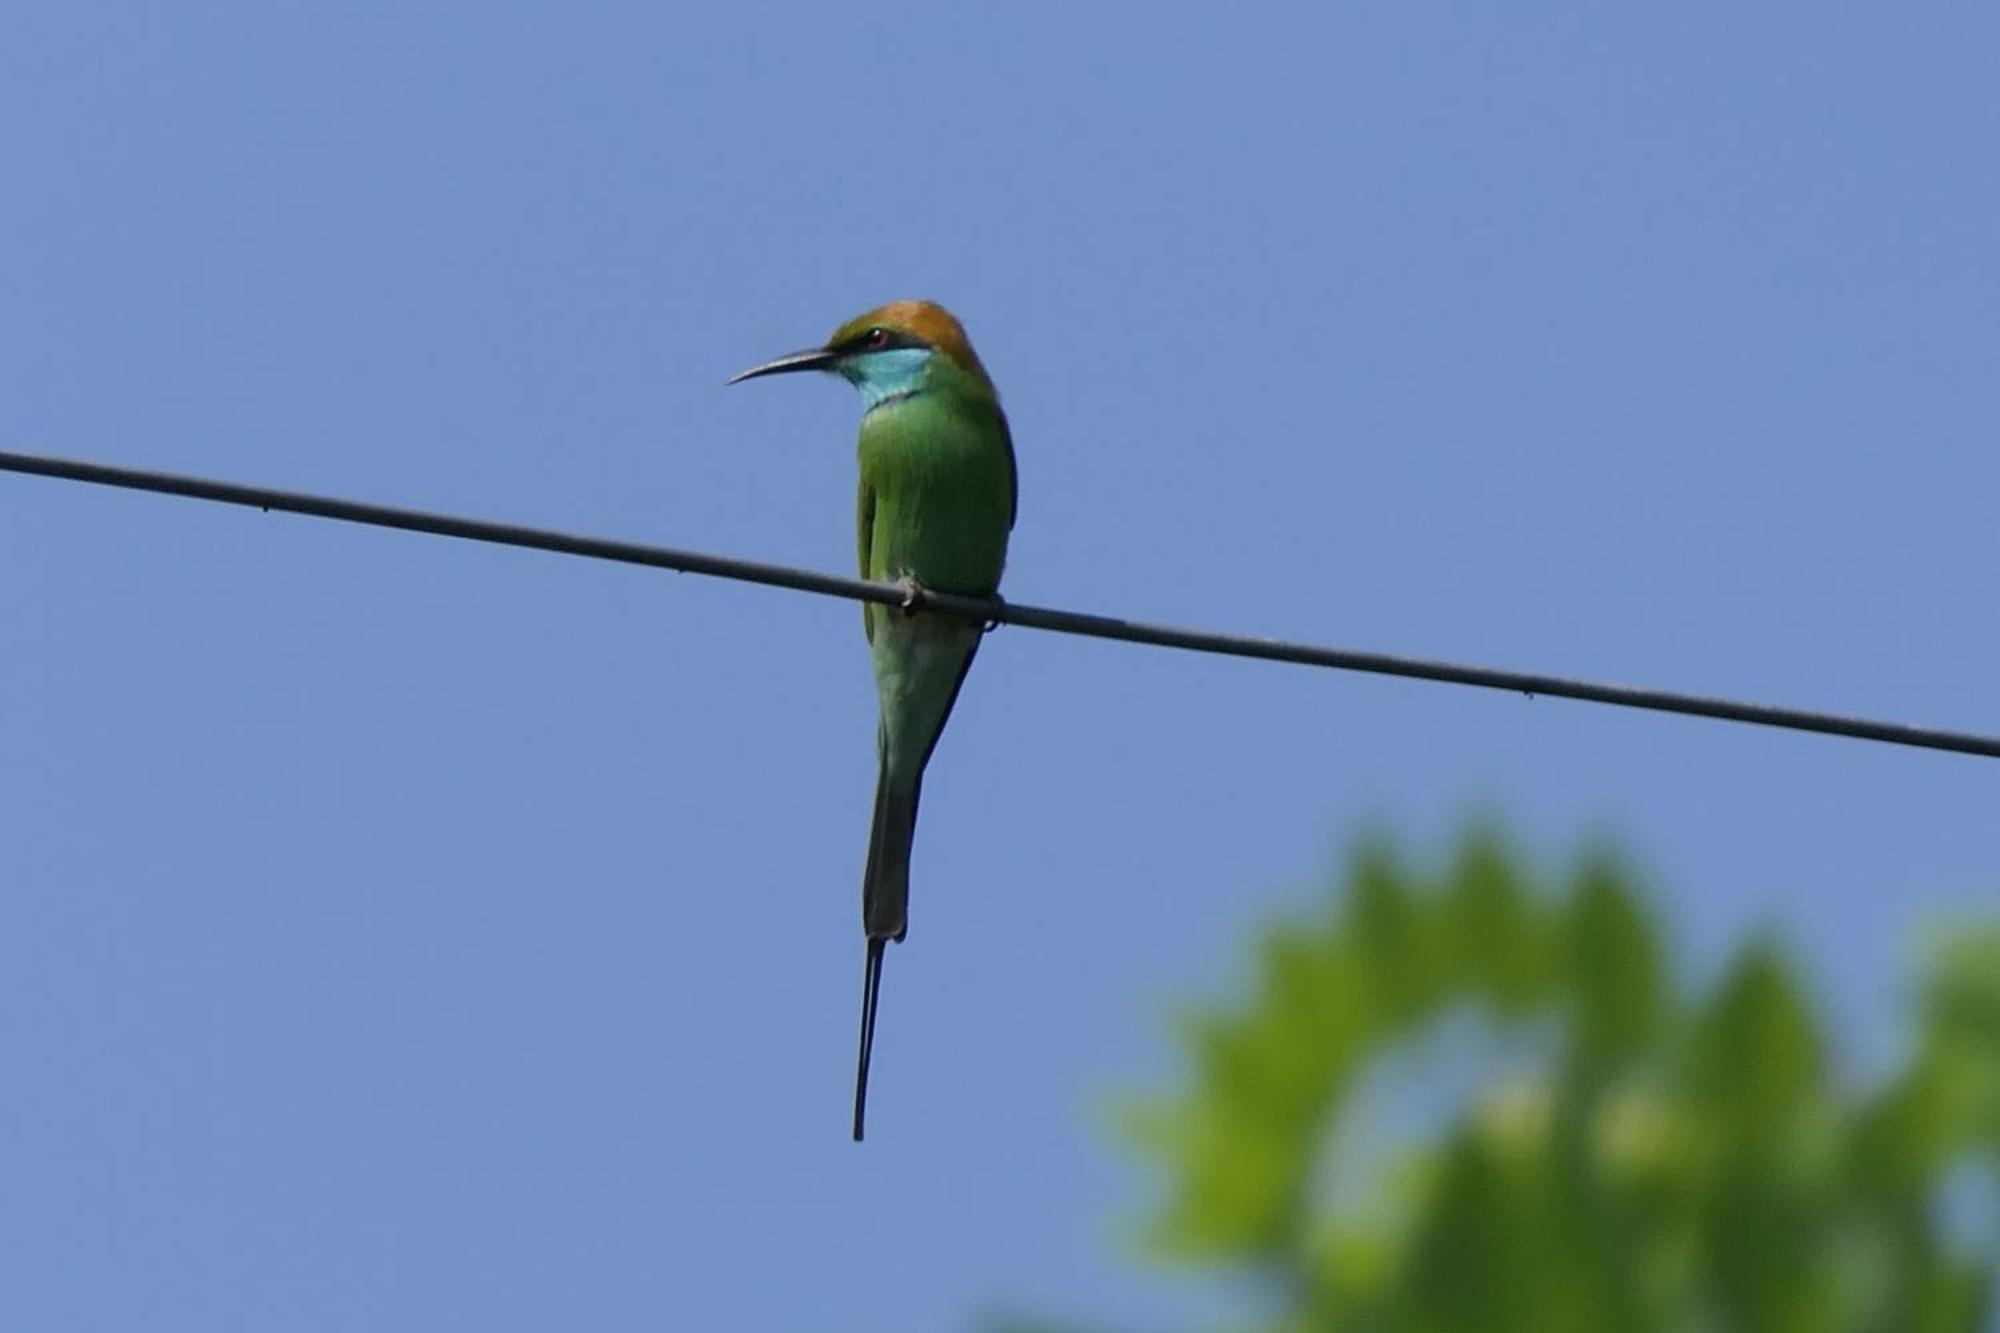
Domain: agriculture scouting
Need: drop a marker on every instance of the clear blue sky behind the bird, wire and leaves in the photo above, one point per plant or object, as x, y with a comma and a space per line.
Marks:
399, 934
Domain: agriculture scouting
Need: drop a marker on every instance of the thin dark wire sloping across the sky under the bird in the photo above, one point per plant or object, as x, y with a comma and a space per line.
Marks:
997, 611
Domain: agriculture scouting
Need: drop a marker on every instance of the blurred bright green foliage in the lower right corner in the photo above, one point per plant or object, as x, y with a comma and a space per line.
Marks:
1633, 1156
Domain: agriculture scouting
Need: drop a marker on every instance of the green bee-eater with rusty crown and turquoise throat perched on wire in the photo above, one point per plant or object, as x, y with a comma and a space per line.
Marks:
937, 505
